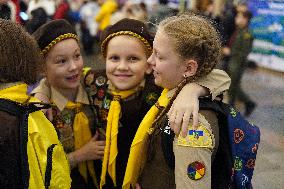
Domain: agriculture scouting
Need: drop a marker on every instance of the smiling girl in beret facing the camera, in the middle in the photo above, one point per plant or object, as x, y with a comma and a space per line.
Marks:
124, 99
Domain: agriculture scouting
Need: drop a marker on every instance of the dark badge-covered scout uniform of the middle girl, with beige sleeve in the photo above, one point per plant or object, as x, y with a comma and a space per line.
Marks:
133, 109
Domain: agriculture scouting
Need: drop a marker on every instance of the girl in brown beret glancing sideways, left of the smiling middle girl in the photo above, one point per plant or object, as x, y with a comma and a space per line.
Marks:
73, 117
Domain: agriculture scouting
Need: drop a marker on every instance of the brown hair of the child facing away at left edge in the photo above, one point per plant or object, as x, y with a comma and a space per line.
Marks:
20, 58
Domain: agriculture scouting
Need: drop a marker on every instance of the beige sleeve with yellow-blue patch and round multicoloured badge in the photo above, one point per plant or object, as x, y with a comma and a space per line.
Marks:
193, 156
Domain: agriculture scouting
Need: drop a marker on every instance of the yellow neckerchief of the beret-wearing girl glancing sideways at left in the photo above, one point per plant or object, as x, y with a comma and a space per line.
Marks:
82, 135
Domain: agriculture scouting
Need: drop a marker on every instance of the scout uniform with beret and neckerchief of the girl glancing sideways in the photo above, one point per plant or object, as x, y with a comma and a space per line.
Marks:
74, 121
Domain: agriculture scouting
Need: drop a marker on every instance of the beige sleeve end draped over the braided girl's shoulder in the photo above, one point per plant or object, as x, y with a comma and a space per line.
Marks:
217, 81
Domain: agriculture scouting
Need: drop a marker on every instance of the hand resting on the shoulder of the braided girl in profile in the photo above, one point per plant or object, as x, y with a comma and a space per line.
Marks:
185, 105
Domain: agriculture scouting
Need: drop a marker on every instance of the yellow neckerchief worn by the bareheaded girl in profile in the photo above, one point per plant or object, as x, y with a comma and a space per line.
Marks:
136, 151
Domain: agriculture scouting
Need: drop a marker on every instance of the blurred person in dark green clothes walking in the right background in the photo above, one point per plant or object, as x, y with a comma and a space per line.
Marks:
240, 45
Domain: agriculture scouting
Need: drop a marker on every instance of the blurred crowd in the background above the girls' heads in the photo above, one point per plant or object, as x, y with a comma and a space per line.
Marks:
91, 17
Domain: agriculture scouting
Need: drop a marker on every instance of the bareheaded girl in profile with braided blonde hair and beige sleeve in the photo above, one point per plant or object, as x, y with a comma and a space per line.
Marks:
186, 47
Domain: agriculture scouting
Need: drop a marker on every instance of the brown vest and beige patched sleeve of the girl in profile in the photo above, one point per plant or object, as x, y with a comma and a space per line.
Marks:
190, 164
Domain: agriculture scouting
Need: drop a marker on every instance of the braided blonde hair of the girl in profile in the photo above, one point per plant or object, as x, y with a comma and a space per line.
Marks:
194, 37
